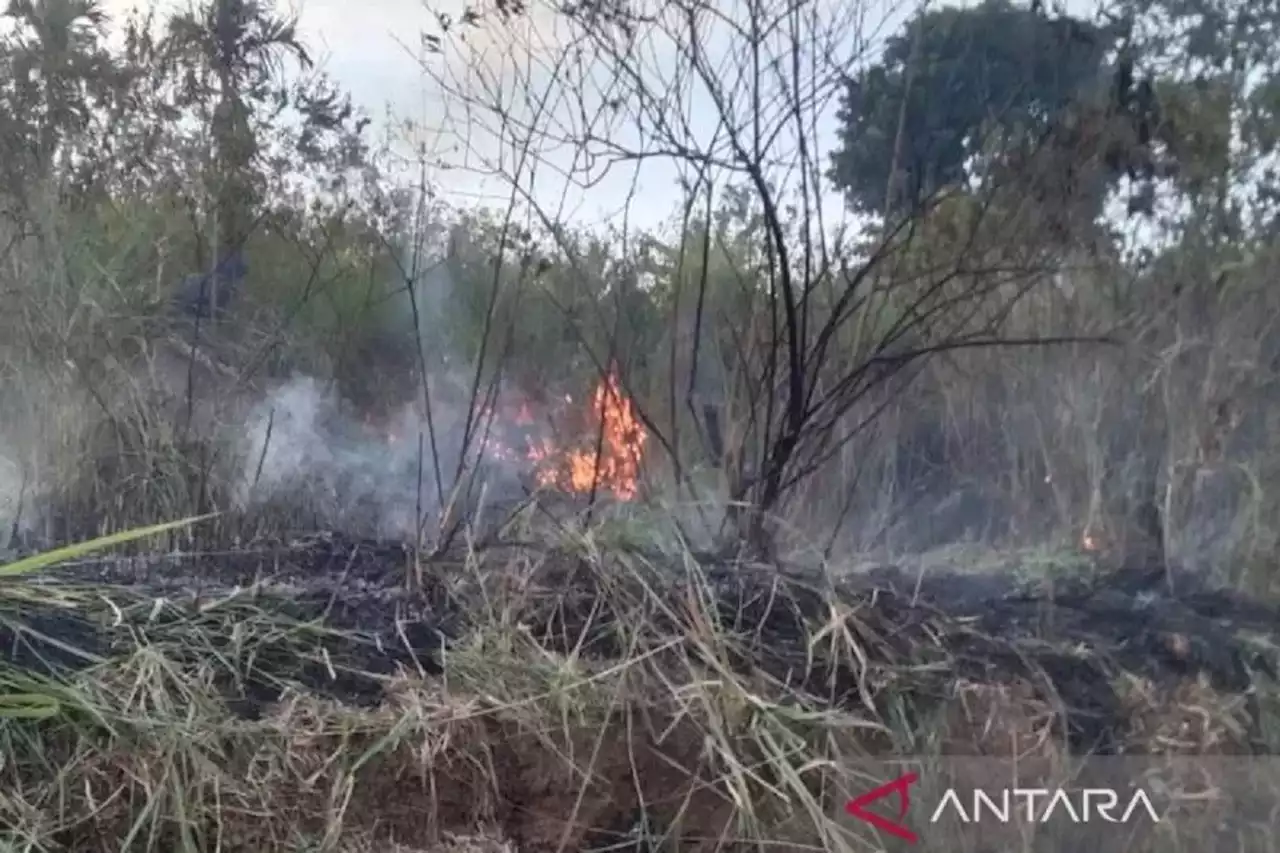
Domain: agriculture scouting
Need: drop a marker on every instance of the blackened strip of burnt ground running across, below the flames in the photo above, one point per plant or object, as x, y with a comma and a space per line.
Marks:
358, 612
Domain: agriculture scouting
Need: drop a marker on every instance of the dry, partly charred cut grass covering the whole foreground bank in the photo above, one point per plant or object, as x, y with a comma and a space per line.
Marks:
583, 695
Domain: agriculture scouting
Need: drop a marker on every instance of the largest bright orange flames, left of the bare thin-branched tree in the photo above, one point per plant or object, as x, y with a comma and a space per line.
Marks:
612, 459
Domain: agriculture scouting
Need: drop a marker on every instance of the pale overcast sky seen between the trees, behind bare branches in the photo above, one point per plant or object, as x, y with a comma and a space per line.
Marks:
374, 49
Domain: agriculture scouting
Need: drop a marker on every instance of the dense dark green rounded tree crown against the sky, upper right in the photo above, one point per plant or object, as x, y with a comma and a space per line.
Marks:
947, 83
